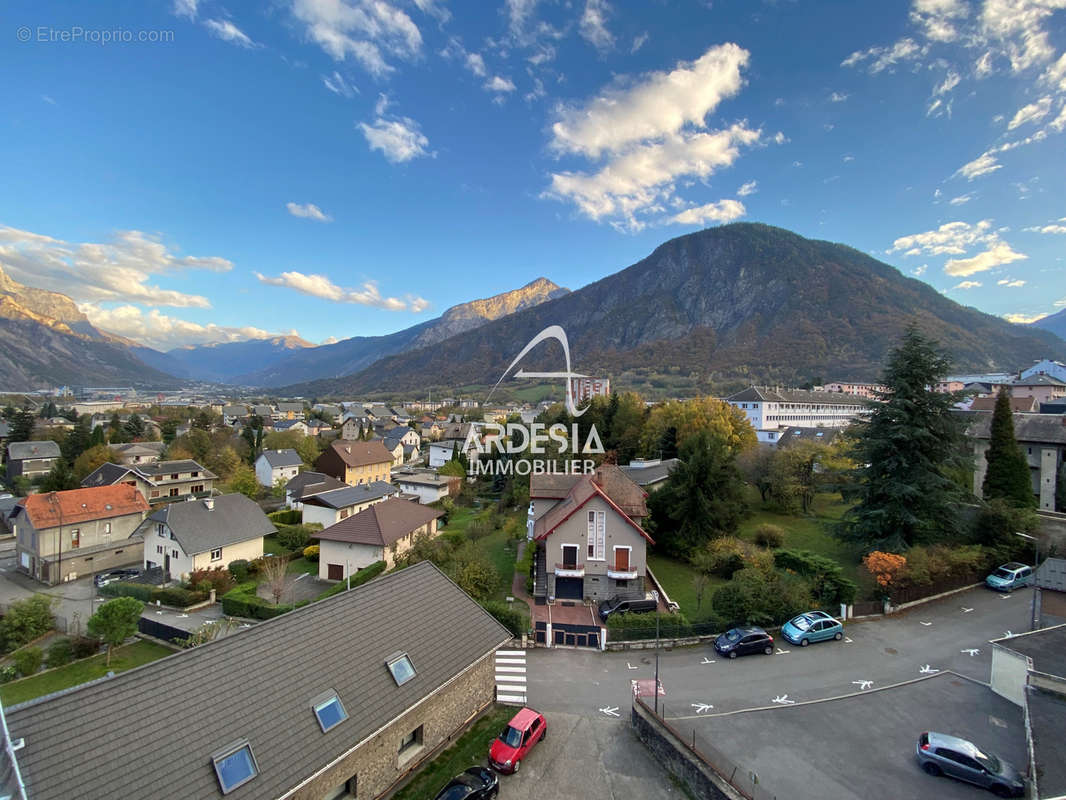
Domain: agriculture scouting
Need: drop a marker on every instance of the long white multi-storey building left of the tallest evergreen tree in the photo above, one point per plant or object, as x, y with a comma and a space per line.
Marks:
772, 411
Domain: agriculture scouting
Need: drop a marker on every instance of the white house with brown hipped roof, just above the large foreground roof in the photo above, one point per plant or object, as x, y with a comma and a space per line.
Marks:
381, 533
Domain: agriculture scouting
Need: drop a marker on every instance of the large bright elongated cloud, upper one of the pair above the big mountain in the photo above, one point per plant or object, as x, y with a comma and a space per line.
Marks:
659, 105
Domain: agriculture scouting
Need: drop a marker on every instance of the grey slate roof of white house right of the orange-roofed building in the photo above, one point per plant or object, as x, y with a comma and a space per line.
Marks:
200, 530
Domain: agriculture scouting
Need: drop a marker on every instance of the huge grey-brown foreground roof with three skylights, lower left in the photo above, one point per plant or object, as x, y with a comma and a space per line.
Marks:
271, 673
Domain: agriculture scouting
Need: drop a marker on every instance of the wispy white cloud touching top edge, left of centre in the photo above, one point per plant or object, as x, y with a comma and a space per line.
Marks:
366, 30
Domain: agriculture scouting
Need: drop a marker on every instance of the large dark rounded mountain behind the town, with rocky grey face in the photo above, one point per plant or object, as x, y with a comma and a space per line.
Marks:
742, 302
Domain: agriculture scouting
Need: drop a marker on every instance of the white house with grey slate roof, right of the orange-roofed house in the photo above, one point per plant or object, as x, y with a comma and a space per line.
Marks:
201, 535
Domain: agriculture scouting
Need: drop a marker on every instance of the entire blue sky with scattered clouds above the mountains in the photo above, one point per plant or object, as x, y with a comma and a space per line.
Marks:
200, 171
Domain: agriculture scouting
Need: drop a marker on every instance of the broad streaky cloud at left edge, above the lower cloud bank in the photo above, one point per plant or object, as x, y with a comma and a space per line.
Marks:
118, 271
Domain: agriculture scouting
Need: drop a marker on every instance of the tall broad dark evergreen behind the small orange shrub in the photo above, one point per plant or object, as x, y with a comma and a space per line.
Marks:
905, 450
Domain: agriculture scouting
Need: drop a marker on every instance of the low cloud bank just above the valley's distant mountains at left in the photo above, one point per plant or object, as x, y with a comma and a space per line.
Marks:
165, 332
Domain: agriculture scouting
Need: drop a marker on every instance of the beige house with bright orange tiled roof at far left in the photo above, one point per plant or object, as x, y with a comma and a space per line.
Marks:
60, 536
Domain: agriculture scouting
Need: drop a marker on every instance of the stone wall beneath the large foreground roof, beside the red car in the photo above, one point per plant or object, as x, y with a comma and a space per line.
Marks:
377, 764
